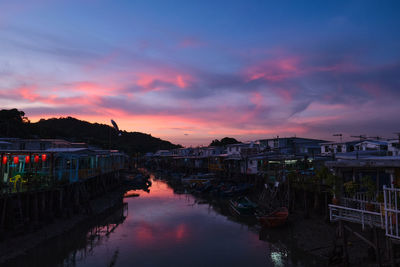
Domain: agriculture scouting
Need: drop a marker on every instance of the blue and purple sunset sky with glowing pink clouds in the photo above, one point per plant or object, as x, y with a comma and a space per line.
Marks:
192, 71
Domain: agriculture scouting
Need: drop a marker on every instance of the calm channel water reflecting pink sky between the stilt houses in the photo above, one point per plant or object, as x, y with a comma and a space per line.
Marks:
161, 228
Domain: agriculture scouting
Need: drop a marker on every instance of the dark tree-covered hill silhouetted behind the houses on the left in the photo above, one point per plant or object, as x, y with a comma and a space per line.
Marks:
14, 124
